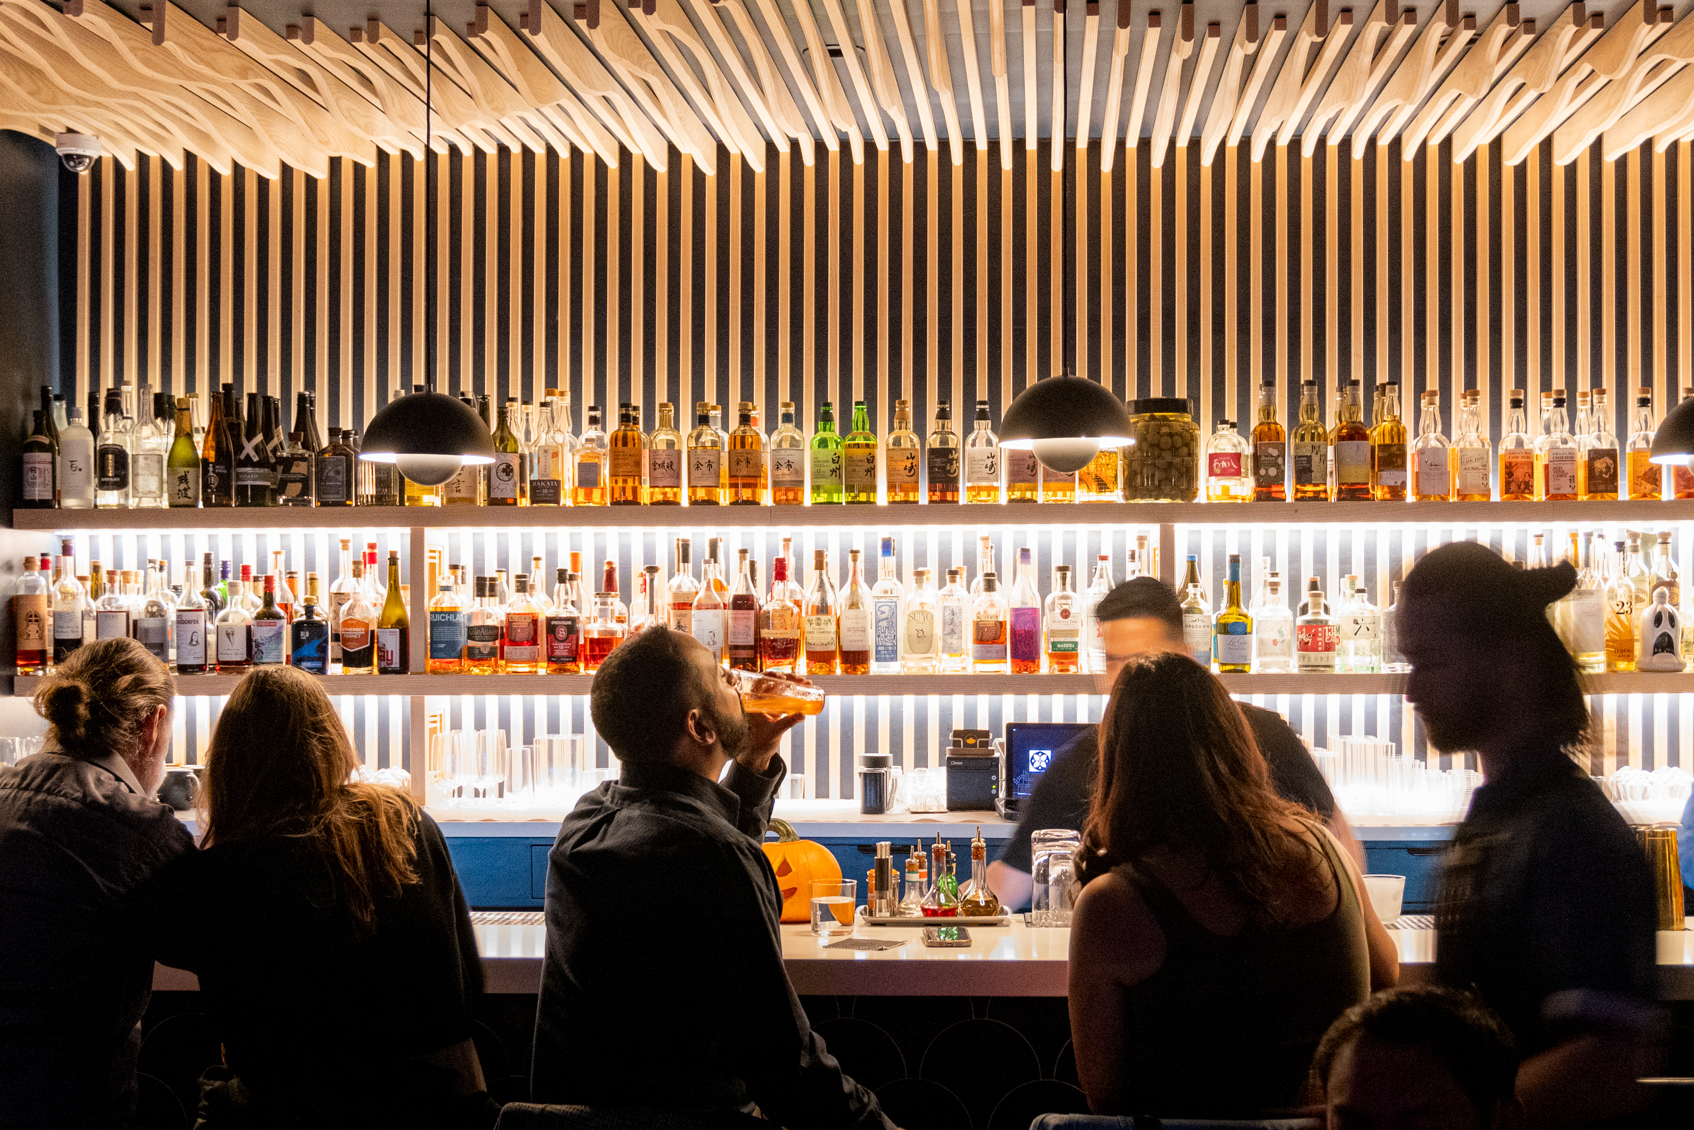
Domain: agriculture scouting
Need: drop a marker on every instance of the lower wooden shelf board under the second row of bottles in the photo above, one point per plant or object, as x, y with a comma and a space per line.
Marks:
855, 685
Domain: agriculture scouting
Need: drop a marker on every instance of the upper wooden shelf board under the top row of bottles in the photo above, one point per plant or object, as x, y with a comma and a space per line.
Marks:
1647, 512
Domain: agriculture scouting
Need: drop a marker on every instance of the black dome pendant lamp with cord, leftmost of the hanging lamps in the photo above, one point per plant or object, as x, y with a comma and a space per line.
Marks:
428, 435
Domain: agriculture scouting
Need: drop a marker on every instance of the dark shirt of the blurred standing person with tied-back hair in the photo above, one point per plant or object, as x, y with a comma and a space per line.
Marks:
1547, 906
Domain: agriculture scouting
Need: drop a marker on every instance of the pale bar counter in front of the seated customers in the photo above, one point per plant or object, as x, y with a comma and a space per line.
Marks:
1002, 961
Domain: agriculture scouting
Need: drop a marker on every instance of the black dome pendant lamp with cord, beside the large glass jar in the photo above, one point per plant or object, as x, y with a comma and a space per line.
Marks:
1066, 419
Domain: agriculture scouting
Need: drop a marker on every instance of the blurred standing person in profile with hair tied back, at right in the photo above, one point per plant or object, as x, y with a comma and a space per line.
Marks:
1547, 902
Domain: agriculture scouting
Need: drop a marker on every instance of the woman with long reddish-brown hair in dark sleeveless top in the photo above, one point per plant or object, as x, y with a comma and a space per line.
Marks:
1221, 928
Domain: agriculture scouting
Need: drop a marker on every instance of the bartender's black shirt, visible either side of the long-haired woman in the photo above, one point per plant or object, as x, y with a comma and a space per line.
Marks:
1063, 794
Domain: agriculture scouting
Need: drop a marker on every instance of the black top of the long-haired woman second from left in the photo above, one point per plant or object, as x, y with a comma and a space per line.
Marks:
307, 1011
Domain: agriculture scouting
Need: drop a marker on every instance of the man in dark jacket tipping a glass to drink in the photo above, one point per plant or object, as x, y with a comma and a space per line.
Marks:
663, 985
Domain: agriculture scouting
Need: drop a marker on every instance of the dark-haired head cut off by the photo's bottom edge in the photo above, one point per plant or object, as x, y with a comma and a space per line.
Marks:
1419, 1060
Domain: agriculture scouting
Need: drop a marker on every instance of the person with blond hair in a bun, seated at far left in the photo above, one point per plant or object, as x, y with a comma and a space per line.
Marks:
79, 831
